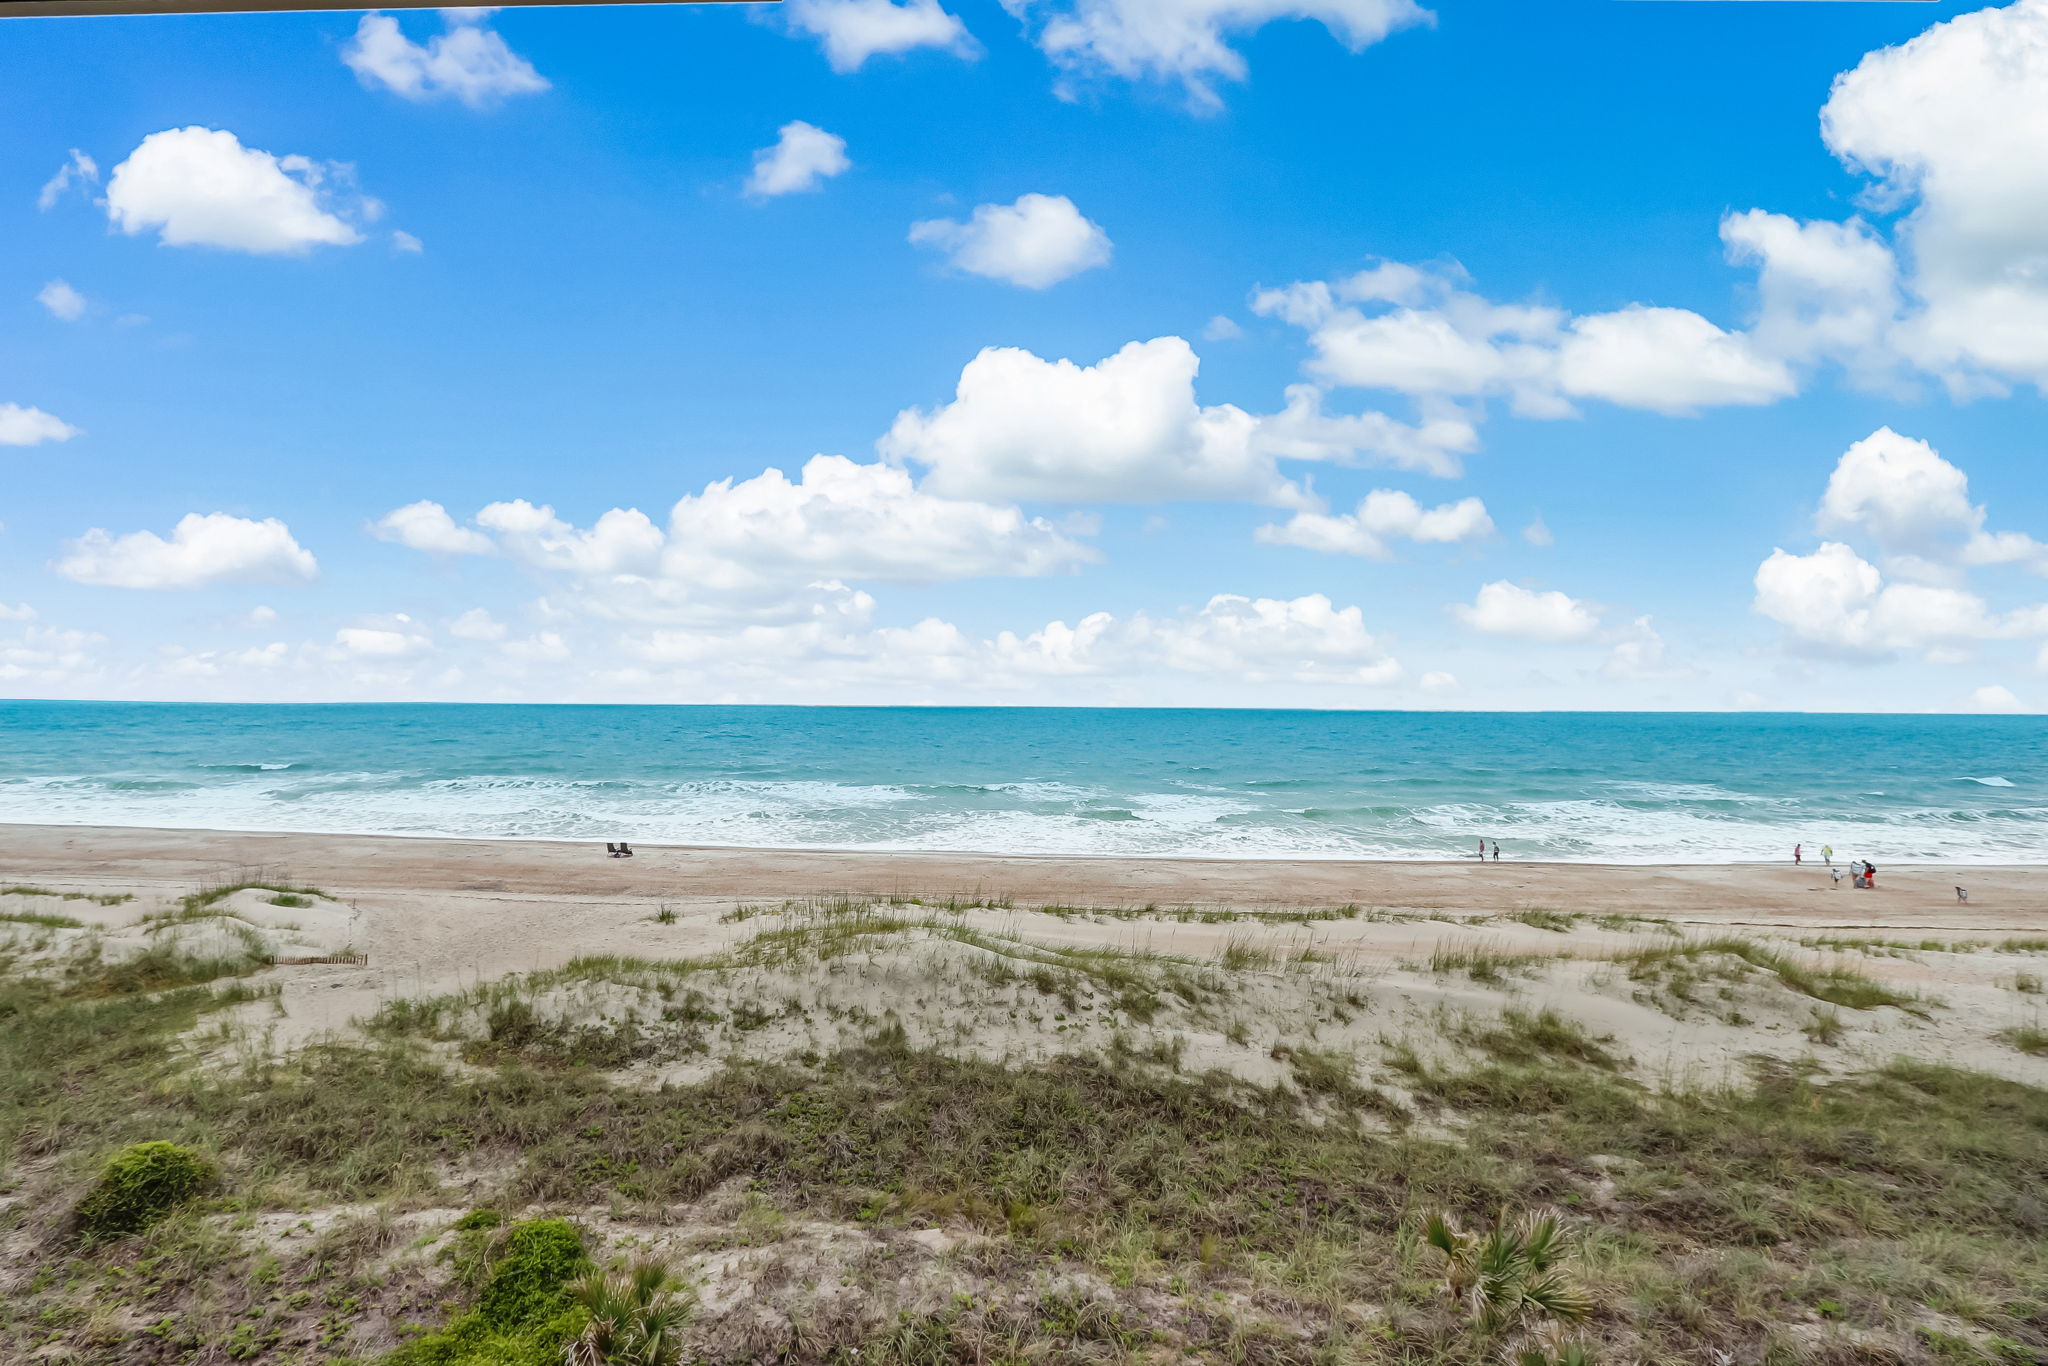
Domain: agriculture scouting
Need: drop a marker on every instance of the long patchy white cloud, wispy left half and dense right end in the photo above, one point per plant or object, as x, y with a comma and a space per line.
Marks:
1420, 333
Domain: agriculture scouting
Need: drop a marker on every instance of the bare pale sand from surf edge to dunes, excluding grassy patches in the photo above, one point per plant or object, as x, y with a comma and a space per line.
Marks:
439, 916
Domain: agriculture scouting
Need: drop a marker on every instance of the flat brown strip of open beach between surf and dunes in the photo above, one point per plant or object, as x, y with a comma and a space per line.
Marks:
577, 869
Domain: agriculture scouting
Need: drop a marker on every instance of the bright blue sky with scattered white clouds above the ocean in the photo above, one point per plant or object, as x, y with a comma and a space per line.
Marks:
1242, 353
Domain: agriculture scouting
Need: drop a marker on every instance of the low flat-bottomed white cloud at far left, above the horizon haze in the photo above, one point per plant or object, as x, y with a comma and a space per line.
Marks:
202, 550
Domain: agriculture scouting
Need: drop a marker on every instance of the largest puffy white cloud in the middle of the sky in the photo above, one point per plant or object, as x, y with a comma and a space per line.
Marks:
1125, 429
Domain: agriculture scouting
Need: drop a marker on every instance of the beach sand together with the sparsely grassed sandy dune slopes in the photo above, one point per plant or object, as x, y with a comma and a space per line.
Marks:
1422, 945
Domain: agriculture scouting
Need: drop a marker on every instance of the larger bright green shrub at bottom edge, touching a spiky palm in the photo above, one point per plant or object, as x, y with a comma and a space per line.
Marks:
527, 1312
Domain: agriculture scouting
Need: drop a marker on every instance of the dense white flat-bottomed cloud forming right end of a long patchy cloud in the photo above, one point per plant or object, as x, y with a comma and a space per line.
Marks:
1668, 361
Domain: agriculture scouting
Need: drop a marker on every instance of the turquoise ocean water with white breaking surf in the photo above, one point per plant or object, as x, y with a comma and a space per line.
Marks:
1598, 787
